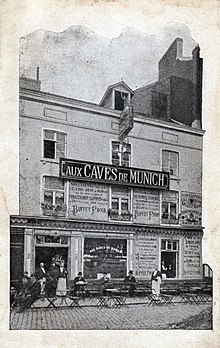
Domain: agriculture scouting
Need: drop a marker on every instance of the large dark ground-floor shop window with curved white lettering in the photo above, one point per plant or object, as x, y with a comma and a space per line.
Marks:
105, 255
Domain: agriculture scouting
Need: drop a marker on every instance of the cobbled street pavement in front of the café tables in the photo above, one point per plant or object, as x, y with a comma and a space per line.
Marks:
137, 315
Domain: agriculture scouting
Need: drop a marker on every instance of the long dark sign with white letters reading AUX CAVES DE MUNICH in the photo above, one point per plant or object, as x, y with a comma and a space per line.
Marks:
104, 173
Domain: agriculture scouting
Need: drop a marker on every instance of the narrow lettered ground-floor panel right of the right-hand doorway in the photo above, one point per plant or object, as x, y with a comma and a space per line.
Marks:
192, 257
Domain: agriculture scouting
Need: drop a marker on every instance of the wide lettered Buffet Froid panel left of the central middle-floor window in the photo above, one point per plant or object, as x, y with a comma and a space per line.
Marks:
88, 201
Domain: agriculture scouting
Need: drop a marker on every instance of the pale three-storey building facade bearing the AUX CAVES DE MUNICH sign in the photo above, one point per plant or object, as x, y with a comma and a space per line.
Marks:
105, 194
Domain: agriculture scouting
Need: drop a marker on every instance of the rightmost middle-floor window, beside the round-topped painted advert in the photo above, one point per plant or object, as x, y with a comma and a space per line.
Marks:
170, 206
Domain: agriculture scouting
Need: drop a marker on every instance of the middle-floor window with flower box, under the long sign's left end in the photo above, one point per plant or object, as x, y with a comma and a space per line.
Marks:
54, 196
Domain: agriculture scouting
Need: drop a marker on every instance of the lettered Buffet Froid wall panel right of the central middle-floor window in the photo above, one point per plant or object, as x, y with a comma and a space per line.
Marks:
146, 206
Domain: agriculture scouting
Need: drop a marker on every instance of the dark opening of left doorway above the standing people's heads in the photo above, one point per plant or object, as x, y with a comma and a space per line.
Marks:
46, 254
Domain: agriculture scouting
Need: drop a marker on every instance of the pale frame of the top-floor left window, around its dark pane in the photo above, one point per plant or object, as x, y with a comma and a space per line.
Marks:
55, 159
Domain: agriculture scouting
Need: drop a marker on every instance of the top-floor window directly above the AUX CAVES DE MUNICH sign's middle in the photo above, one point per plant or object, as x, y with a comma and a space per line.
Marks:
121, 154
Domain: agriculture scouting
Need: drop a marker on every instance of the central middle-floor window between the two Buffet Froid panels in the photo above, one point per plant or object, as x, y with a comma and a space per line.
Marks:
120, 204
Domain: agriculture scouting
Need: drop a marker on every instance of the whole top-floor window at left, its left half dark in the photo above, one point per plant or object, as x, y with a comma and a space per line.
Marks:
54, 144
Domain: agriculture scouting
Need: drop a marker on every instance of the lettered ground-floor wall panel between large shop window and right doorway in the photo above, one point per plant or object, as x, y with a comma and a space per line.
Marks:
146, 255
